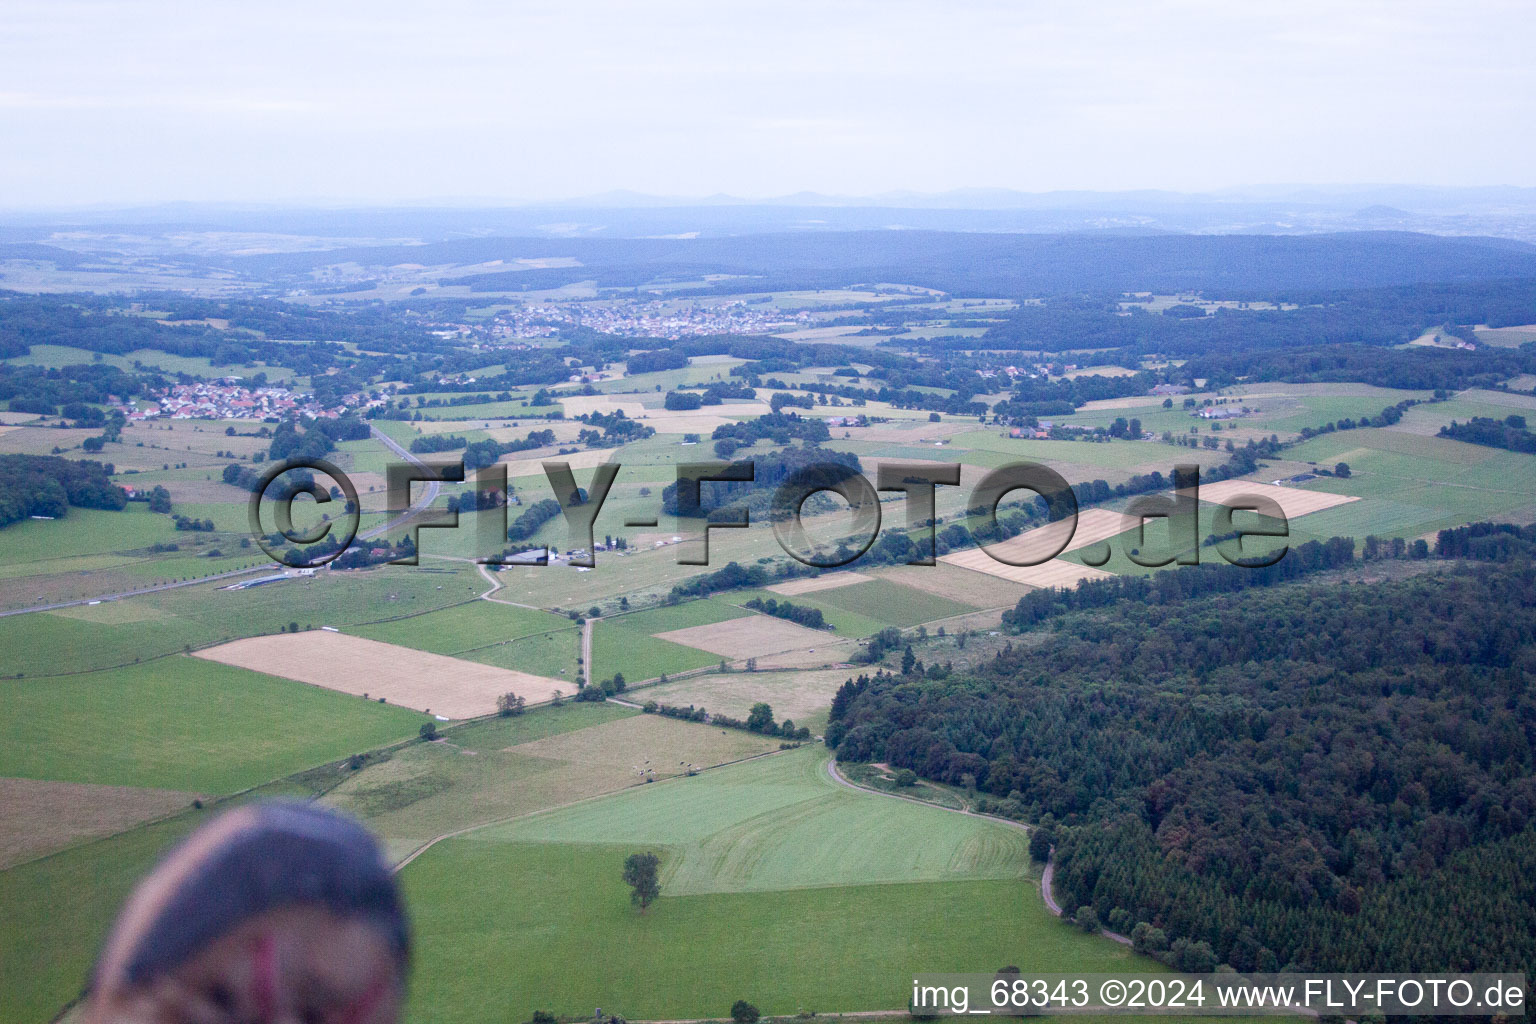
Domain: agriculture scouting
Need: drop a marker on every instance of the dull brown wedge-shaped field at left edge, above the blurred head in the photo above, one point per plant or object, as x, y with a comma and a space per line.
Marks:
39, 818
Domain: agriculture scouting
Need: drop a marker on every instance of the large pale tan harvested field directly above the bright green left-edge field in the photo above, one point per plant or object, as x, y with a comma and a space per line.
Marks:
402, 676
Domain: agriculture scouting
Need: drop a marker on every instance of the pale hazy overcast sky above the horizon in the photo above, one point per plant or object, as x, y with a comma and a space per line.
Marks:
445, 101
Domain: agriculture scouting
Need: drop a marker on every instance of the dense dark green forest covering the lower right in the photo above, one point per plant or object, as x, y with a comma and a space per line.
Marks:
1319, 776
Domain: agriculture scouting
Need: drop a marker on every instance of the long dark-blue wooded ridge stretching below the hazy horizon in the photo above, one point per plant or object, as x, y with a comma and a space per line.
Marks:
961, 263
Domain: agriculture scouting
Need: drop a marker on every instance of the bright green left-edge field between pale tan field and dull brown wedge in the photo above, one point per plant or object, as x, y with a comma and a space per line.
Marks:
184, 724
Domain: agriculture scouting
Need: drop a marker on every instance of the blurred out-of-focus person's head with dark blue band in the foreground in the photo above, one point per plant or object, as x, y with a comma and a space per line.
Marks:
276, 913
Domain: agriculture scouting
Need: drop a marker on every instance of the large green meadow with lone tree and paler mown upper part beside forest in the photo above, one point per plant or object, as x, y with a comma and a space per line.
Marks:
767, 894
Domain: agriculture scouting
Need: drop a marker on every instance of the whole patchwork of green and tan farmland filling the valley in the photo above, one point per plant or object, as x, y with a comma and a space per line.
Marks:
141, 692
